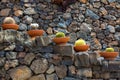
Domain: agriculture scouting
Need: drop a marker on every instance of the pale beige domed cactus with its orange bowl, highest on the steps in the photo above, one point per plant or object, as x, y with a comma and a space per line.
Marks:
9, 23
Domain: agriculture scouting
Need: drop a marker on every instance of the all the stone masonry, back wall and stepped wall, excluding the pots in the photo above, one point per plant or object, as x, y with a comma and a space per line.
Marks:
96, 21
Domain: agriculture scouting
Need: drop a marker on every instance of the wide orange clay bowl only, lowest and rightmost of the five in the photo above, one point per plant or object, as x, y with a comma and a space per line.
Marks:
109, 55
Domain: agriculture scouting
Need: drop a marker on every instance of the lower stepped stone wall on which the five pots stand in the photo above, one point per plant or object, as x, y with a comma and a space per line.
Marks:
22, 58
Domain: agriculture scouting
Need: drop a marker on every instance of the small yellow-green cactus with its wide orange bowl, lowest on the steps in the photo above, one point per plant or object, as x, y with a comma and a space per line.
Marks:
109, 54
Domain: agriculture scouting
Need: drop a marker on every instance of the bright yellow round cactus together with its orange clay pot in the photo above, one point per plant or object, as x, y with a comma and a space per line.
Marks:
80, 45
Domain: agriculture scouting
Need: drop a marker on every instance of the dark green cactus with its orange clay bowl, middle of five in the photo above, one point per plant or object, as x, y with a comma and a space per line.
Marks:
60, 38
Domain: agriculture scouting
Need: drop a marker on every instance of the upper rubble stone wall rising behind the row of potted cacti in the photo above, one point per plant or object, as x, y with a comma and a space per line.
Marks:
96, 21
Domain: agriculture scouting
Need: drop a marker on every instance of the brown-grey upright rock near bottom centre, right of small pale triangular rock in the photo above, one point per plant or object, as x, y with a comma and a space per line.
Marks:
61, 71
